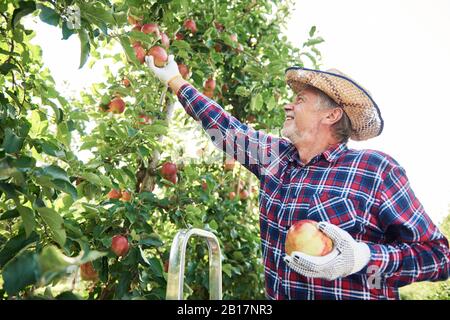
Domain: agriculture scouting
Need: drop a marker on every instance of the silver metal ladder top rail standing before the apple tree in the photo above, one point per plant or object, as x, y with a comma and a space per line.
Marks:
175, 278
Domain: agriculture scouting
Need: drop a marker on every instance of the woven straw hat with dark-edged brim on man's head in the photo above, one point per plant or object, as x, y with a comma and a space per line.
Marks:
356, 101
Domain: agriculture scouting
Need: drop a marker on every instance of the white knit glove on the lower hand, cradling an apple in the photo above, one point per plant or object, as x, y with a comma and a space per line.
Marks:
347, 257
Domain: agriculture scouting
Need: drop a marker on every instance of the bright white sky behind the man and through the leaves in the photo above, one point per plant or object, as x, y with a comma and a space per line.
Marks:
399, 50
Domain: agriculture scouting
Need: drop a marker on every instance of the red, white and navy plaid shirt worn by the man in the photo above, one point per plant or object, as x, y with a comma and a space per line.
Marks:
364, 192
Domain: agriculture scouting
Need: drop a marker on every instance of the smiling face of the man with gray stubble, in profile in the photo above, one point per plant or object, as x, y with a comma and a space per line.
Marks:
303, 117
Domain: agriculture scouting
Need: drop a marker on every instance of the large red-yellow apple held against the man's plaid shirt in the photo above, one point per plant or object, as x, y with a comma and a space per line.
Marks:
304, 236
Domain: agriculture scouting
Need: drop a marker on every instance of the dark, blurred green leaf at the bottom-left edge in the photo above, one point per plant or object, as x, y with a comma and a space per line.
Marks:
20, 272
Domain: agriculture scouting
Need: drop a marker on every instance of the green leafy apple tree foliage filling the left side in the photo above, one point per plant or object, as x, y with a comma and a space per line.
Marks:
55, 214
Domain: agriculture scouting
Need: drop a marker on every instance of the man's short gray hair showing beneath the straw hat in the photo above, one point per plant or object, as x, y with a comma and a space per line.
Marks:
342, 129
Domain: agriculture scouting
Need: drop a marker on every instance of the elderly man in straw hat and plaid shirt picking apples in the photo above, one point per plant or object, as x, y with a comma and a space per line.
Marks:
382, 237
